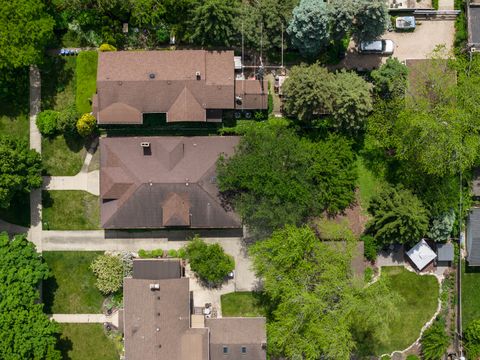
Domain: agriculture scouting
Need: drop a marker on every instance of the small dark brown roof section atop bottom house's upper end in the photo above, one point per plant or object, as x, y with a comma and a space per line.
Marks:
152, 269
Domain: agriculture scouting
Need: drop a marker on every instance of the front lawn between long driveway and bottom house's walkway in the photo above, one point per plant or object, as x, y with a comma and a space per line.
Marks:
71, 289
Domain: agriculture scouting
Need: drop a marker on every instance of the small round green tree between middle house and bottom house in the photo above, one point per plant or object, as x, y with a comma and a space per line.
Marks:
209, 261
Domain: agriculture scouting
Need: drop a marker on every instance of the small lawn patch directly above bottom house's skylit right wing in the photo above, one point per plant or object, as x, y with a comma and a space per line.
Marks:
242, 303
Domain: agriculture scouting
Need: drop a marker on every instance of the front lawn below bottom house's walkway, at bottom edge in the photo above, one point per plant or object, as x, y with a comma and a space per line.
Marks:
86, 341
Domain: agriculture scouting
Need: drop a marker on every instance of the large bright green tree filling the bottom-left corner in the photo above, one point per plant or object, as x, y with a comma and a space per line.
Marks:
25, 331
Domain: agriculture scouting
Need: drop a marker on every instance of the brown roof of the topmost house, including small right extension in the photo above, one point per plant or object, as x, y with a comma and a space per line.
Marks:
186, 85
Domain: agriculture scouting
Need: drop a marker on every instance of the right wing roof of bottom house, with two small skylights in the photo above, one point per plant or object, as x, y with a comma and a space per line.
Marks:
235, 334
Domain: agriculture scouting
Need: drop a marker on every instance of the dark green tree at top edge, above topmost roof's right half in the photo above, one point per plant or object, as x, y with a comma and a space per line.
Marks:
213, 22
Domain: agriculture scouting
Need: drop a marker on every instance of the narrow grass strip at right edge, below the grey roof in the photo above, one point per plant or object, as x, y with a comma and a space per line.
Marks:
470, 294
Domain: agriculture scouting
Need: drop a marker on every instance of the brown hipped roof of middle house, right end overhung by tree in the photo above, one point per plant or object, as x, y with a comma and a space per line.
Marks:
170, 183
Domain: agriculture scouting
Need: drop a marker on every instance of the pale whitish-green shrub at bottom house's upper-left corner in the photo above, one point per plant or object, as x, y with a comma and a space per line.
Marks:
109, 271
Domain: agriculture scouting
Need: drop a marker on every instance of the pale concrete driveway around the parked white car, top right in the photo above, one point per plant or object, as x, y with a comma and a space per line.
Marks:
414, 45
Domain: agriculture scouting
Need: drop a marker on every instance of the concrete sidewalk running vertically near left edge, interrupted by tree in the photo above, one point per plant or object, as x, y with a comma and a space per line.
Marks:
35, 232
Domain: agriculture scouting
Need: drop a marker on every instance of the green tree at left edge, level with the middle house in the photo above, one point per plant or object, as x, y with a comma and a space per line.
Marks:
20, 169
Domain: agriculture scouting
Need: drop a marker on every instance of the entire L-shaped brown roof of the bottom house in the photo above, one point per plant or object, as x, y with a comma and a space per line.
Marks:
158, 321
